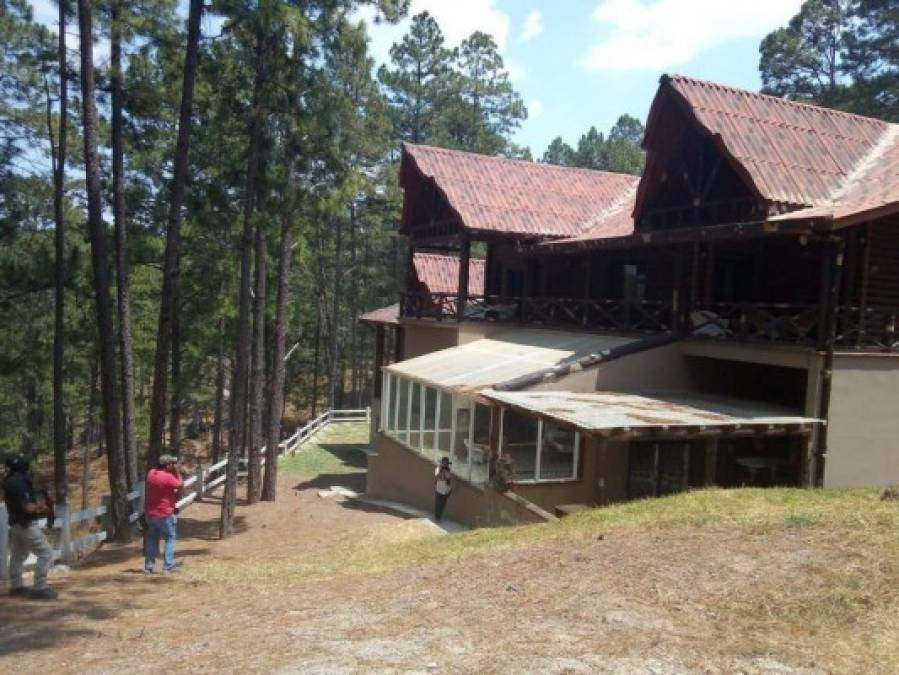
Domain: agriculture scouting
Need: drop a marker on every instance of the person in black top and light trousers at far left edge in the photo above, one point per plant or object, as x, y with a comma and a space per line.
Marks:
25, 508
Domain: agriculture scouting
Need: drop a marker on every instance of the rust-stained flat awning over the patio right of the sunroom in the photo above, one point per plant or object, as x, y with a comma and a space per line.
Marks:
613, 413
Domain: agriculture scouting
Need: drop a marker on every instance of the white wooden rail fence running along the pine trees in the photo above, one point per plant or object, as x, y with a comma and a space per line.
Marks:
202, 482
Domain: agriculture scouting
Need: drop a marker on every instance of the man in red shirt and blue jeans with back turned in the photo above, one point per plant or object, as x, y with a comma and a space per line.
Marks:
163, 485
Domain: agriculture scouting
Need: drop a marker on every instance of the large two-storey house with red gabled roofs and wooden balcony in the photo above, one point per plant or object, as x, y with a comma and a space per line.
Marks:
728, 318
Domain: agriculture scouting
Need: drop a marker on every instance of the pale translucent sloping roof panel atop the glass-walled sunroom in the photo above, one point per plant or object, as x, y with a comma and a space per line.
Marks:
503, 357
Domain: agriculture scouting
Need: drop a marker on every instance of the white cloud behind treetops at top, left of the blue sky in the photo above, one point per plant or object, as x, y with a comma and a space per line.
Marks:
458, 20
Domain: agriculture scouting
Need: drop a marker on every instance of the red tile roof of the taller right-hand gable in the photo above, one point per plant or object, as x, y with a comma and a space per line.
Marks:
794, 153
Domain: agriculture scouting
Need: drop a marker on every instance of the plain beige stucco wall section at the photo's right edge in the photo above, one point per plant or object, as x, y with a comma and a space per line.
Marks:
863, 435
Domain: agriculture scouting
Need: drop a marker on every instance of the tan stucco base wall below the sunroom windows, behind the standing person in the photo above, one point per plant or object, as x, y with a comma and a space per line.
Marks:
397, 473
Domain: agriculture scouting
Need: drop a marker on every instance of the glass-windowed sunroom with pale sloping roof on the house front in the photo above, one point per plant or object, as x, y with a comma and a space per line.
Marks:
435, 406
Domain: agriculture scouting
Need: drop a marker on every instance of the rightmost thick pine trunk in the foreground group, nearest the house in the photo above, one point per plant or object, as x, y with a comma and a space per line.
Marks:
276, 393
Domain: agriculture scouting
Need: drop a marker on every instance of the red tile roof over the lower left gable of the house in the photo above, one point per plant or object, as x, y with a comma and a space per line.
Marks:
495, 194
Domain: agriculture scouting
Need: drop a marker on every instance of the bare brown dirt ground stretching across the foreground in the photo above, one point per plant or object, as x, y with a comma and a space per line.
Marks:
679, 600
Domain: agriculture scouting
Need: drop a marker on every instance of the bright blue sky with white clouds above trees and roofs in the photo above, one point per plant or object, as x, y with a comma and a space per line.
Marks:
583, 63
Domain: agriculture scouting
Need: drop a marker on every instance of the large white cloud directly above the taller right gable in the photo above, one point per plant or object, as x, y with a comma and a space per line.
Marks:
646, 35
